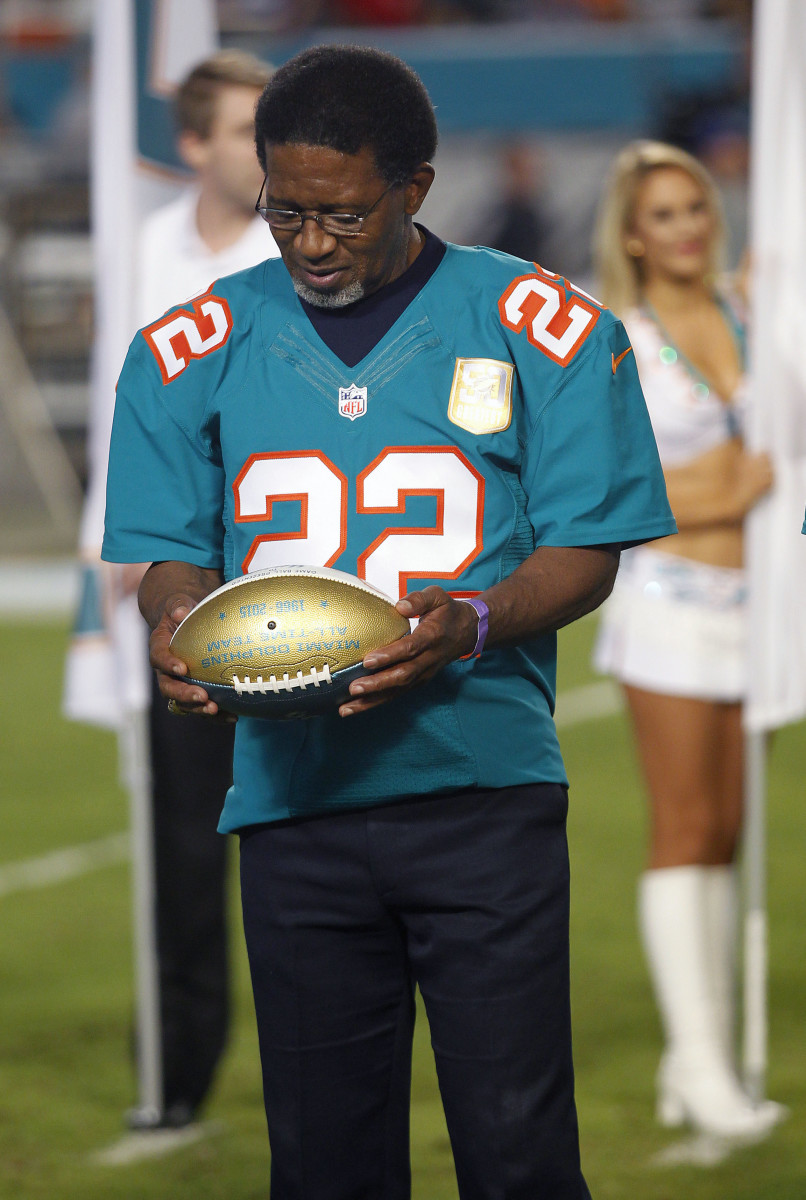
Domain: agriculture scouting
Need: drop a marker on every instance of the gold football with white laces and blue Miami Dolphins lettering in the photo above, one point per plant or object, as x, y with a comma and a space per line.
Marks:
287, 641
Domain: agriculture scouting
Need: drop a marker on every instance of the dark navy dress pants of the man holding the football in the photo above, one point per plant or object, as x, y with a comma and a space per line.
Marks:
466, 897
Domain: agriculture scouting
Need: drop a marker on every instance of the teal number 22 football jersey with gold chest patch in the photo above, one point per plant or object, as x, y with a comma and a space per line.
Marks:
501, 412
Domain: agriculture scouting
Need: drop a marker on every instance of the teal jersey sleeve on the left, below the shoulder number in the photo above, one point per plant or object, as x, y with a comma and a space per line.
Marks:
166, 488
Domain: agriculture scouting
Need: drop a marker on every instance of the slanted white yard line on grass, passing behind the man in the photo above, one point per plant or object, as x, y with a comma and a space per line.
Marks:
575, 706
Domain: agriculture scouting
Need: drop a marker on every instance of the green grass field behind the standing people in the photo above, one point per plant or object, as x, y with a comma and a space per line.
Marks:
67, 980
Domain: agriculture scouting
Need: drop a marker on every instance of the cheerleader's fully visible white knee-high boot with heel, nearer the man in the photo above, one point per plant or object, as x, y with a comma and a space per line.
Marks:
696, 1081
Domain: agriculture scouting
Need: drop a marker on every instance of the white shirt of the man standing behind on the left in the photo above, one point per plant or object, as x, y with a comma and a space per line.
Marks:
175, 263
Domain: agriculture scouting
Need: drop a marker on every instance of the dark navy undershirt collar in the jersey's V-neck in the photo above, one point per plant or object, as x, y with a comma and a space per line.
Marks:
353, 332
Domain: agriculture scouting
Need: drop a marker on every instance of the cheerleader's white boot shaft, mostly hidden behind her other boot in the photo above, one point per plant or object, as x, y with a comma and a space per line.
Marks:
723, 933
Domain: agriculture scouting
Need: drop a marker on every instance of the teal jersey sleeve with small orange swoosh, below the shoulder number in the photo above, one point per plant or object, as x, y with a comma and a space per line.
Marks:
591, 467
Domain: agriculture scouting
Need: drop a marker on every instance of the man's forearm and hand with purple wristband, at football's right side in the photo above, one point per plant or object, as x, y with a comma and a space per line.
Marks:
554, 587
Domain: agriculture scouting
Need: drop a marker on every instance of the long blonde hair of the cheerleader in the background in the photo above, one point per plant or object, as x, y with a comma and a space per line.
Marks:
619, 275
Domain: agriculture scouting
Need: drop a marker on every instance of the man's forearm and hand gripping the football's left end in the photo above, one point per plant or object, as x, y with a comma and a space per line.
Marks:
167, 595
